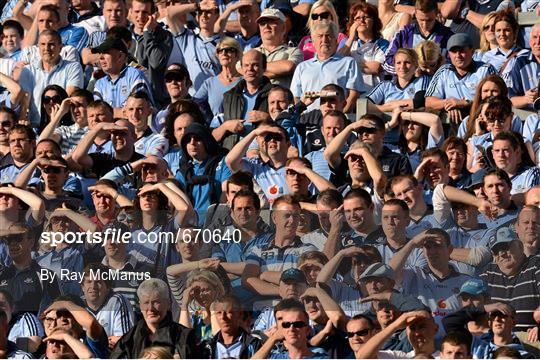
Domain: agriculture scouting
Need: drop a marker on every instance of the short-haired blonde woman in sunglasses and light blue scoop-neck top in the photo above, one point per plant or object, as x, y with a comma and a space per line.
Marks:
228, 53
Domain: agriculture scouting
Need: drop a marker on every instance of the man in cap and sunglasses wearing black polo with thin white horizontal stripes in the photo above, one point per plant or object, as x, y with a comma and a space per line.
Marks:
510, 262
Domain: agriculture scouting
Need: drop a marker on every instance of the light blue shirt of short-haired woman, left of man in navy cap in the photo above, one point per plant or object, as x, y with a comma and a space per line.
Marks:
391, 90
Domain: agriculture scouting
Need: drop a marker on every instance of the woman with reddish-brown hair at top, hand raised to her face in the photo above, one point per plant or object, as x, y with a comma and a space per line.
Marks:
365, 43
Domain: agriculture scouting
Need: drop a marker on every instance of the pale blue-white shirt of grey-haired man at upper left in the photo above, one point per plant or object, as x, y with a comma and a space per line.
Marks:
34, 79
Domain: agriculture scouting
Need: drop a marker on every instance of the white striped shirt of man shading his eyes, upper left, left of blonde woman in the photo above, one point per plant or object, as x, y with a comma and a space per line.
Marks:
198, 55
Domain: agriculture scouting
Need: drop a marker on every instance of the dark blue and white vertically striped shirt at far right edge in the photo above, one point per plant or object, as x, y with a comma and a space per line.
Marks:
524, 75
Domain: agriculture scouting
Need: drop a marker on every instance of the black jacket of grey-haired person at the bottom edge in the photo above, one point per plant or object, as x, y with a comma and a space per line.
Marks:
177, 338
